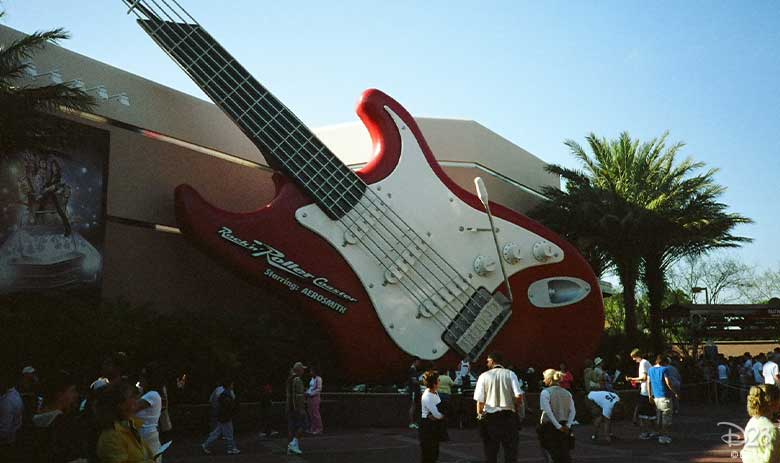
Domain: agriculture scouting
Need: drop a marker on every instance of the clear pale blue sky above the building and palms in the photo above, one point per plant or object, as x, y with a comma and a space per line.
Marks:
536, 73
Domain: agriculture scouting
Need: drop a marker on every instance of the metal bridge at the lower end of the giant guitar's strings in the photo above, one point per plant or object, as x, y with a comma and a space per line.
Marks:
477, 323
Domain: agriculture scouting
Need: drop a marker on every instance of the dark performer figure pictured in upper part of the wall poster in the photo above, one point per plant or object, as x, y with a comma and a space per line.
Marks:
45, 191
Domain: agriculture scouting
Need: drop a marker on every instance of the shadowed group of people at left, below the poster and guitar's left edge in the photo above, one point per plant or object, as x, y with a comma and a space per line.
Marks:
123, 416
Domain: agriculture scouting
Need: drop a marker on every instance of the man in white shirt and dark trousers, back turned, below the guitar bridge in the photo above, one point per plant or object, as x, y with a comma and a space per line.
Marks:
499, 396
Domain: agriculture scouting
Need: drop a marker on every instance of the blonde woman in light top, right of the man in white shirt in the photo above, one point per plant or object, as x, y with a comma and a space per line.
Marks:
558, 413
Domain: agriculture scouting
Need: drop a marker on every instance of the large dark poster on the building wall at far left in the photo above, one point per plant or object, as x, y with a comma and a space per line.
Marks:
52, 215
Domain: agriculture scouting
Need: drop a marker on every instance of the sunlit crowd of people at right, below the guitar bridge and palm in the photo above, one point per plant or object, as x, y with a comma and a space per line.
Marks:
500, 406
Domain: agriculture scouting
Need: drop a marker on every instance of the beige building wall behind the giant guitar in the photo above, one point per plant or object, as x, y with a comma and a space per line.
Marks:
142, 265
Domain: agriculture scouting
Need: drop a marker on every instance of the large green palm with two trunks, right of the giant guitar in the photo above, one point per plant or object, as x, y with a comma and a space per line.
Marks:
643, 209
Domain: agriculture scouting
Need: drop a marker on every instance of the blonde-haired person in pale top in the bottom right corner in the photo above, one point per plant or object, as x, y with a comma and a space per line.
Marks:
762, 439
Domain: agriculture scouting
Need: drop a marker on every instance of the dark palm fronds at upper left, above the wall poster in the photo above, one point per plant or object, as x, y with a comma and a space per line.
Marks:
25, 111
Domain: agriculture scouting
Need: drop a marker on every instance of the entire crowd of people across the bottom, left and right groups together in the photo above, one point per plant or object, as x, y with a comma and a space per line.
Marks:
123, 417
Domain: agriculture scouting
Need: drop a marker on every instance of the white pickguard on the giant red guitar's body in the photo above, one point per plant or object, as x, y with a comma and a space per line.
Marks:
416, 194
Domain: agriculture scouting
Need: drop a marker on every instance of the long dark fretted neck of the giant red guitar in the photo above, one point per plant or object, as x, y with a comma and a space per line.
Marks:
282, 138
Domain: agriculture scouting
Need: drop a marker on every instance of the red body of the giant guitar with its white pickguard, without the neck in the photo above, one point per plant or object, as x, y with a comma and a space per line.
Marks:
291, 247
